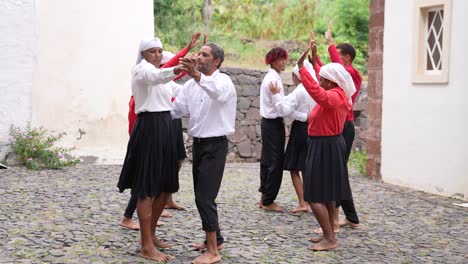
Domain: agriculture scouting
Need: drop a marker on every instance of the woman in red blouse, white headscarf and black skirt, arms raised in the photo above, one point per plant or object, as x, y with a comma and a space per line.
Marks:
326, 177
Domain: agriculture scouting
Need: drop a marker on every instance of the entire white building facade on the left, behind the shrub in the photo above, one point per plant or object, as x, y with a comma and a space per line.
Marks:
65, 66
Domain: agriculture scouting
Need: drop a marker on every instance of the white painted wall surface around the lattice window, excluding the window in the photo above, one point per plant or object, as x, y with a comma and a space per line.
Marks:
424, 126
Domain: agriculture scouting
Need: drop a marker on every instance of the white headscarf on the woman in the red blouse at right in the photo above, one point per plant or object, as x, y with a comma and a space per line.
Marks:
336, 73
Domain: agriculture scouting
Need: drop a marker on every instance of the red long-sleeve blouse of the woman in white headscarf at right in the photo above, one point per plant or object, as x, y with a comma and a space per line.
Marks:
329, 115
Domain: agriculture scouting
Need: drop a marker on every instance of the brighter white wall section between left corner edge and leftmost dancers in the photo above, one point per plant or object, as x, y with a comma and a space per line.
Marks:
85, 51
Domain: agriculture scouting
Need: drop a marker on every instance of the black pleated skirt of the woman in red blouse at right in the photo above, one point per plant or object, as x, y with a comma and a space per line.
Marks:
326, 177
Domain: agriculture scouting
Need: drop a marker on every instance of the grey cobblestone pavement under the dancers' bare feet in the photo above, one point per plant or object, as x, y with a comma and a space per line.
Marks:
71, 216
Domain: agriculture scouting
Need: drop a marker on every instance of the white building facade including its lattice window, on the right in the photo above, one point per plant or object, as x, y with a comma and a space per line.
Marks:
424, 141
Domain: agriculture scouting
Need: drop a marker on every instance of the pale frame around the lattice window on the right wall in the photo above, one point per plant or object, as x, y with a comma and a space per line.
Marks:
420, 72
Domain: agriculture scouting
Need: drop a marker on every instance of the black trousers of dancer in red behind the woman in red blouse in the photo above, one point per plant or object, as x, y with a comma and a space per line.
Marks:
348, 205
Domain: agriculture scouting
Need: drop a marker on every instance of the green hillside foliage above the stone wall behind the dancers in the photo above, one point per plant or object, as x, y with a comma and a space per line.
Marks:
239, 25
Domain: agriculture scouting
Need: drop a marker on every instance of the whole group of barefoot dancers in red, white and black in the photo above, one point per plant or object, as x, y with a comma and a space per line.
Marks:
319, 145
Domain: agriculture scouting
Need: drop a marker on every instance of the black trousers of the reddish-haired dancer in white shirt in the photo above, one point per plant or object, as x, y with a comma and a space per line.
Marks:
271, 164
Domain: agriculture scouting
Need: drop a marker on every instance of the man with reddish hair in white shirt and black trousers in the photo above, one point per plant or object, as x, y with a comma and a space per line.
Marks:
273, 133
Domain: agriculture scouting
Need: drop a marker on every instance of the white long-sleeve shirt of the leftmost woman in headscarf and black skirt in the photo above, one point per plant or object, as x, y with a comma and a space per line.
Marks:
152, 88
